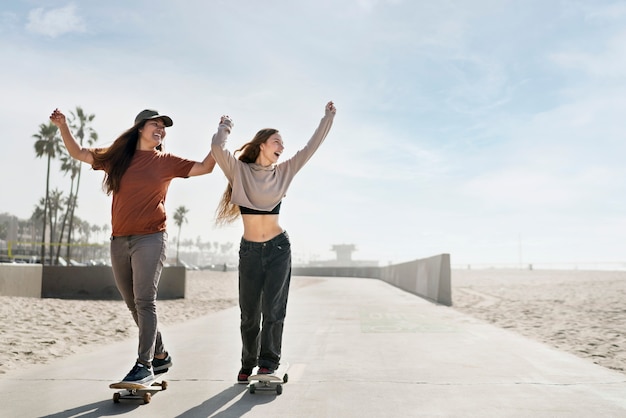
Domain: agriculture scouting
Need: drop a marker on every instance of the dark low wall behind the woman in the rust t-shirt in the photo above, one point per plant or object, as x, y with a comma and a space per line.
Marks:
97, 282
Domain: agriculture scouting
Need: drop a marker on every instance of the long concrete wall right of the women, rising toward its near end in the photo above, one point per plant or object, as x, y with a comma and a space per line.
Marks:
428, 277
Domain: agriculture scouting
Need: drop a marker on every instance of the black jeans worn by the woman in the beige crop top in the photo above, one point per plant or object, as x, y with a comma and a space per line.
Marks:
264, 276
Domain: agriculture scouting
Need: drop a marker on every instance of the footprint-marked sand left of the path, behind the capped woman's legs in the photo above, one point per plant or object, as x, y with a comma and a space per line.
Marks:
38, 331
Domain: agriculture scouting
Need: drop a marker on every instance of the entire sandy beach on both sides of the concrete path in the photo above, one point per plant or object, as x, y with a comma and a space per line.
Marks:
580, 312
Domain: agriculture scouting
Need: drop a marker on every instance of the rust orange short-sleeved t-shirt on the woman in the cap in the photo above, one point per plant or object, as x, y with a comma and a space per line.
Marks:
138, 208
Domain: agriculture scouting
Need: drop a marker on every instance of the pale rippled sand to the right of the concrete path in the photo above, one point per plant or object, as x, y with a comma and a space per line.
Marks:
580, 312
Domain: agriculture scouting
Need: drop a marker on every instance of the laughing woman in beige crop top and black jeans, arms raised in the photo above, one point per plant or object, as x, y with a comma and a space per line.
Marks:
257, 183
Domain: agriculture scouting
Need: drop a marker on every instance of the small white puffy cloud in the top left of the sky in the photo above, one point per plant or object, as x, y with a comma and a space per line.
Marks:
55, 22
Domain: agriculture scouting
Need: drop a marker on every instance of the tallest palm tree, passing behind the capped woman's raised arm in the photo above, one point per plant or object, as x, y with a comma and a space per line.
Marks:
80, 123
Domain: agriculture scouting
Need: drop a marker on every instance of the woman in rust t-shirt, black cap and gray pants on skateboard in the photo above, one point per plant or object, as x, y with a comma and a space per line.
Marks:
137, 175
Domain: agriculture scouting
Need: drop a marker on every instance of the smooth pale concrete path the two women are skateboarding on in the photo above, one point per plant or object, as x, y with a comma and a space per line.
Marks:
357, 348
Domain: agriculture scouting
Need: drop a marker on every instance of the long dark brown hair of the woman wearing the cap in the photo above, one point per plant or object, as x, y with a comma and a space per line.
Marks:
116, 159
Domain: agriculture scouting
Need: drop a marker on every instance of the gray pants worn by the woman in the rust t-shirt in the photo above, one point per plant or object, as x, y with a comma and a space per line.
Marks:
137, 262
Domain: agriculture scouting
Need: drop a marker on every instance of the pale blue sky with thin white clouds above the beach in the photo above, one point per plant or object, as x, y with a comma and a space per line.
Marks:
490, 130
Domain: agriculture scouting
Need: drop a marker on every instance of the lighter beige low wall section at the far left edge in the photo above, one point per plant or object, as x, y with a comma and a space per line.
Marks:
20, 280
